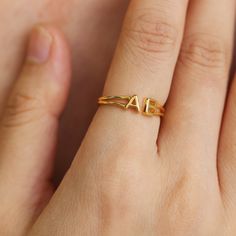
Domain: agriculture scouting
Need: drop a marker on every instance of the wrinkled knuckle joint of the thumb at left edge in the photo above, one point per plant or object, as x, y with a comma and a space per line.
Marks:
21, 109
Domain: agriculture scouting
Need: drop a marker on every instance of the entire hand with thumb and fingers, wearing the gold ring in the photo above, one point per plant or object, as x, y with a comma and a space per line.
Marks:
133, 175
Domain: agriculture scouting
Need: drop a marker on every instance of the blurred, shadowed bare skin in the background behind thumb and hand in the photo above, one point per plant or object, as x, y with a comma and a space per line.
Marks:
92, 28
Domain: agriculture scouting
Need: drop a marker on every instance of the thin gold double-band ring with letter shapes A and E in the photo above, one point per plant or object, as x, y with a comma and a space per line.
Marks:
150, 107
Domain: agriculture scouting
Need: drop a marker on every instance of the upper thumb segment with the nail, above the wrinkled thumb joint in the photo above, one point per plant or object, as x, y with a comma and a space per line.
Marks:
47, 68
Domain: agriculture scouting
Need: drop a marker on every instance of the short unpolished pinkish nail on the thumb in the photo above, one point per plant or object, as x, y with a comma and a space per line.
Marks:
39, 45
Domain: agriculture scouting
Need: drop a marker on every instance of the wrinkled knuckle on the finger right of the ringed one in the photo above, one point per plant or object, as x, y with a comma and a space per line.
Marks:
204, 51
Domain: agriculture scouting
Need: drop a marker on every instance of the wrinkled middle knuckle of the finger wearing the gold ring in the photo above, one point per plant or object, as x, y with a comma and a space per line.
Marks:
147, 33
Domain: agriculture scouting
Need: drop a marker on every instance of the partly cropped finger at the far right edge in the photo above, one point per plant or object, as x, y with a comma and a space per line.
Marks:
227, 151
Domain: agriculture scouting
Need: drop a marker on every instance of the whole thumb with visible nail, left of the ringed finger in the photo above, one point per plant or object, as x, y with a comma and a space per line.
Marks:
28, 130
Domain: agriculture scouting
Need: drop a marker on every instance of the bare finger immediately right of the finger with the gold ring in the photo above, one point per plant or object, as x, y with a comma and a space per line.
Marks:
196, 102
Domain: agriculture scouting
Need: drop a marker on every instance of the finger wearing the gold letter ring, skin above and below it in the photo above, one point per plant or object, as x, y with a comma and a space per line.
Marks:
143, 64
